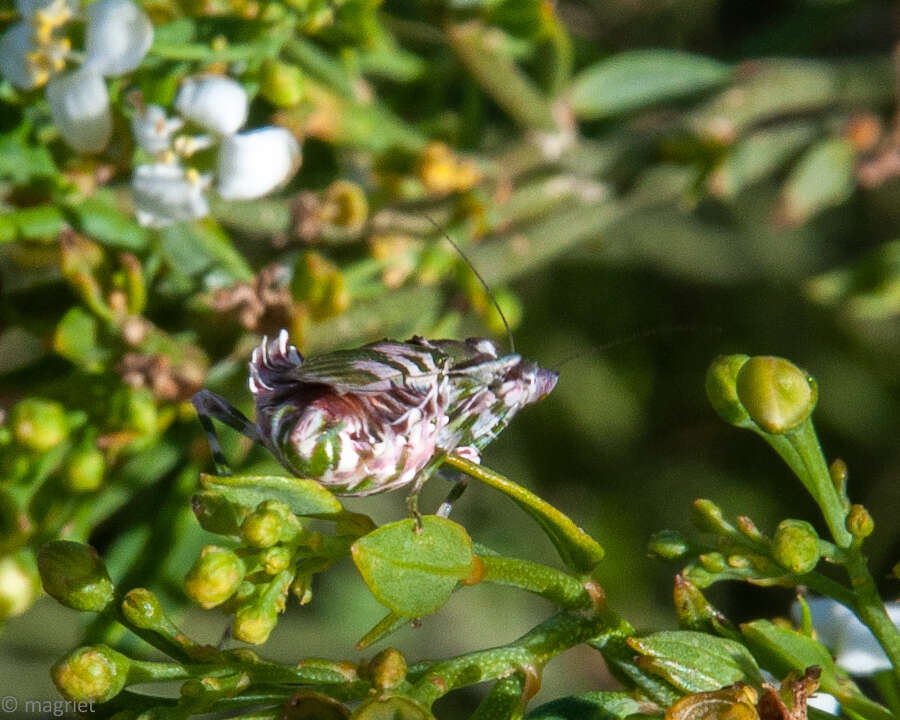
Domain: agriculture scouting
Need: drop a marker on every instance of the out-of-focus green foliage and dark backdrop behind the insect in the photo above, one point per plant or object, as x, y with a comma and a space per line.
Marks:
689, 179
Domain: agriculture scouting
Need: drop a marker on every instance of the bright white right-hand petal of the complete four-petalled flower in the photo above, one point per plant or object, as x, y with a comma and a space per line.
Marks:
254, 163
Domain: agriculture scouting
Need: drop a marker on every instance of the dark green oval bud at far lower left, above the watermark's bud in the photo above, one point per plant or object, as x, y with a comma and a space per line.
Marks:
74, 574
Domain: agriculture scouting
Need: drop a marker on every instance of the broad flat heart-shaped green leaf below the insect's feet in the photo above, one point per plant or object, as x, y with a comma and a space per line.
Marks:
414, 573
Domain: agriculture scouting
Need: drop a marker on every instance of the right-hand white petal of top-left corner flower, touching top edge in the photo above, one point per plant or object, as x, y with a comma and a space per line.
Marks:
118, 36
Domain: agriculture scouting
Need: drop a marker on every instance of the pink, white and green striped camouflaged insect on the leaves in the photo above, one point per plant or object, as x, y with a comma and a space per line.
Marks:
382, 416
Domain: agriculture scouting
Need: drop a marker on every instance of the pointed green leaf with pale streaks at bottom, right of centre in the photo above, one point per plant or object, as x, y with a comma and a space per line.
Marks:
696, 662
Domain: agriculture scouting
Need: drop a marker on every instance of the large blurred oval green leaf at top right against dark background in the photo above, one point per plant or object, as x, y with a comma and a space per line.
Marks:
637, 79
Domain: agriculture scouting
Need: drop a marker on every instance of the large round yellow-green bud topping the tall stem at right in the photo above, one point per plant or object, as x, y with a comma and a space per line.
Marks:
777, 394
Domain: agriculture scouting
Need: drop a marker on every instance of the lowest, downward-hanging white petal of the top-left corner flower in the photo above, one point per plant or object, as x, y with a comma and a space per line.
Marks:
79, 104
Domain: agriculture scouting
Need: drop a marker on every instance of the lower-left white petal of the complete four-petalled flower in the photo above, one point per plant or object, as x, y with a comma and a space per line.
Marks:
165, 194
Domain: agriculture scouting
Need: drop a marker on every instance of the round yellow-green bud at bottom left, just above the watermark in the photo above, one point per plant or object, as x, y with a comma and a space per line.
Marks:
94, 673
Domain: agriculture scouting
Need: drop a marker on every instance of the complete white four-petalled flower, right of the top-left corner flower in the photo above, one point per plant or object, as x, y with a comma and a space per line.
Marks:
248, 164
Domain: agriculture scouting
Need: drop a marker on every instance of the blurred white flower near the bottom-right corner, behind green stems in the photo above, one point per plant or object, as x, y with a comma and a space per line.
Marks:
855, 648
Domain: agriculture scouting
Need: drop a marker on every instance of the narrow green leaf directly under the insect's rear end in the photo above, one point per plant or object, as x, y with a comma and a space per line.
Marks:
301, 495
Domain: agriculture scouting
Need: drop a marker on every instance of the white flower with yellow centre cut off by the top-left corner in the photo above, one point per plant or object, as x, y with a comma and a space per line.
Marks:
118, 35
